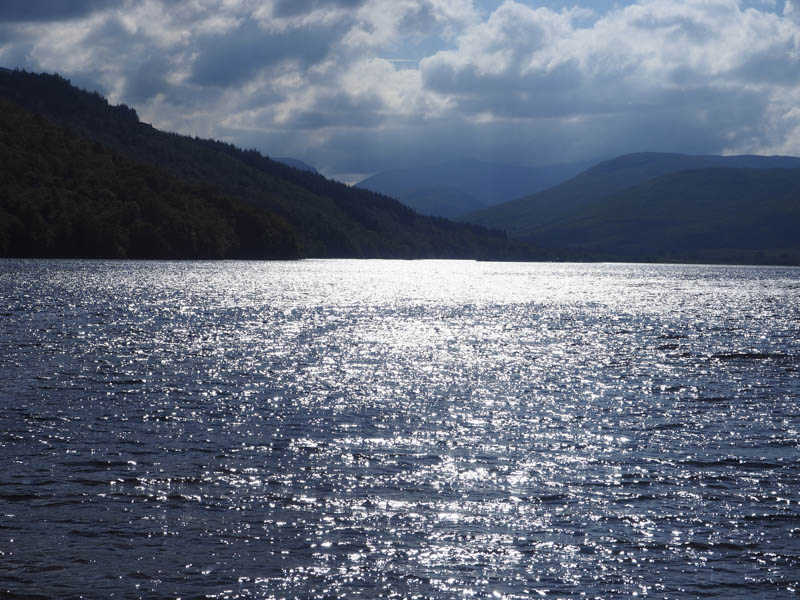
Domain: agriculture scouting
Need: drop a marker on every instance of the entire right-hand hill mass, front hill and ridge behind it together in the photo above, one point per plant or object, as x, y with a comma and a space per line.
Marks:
657, 206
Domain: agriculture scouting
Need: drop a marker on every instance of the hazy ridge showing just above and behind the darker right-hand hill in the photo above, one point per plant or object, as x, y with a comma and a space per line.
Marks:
526, 216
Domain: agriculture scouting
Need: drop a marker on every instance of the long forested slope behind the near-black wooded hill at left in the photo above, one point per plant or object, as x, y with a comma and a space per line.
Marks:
326, 218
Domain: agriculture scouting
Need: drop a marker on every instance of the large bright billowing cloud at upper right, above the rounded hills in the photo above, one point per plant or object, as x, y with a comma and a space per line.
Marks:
702, 65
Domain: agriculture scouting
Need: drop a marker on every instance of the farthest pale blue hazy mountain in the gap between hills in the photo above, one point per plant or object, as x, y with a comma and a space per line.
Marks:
461, 186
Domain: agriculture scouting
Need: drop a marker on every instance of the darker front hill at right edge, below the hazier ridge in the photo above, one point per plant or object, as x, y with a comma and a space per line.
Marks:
719, 214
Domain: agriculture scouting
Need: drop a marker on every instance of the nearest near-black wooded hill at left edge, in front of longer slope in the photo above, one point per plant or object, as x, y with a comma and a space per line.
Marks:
65, 196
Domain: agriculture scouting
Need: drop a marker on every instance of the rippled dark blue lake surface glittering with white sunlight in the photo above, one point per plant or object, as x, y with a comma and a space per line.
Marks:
336, 429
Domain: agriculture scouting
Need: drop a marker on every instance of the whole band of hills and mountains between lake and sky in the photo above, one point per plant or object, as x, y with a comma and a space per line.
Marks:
82, 178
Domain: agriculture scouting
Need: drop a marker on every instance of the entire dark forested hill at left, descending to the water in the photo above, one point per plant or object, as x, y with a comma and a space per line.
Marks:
295, 208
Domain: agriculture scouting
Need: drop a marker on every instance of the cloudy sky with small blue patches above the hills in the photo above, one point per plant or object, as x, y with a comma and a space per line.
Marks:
354, 87
